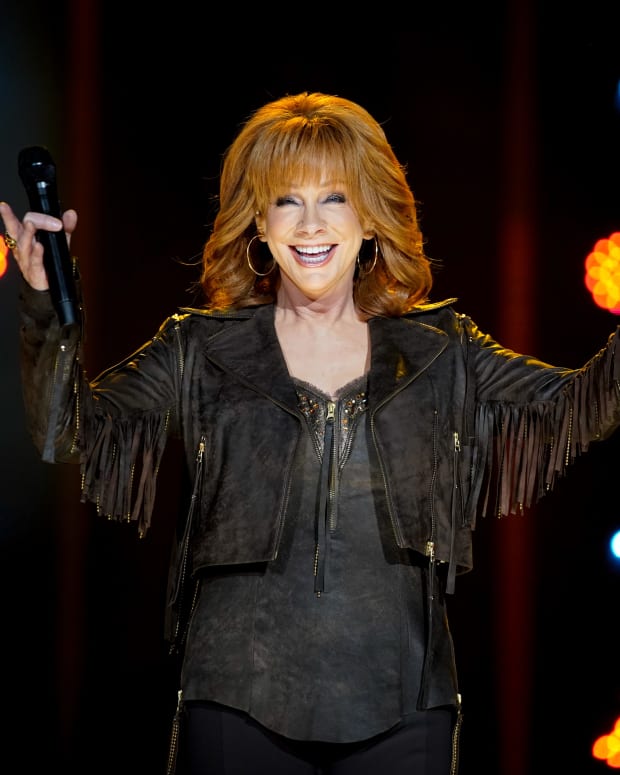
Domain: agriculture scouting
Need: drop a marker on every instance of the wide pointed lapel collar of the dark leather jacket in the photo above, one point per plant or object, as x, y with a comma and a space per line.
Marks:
401, 349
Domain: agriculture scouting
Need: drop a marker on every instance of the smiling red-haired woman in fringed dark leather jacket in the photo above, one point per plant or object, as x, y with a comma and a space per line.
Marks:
342, 434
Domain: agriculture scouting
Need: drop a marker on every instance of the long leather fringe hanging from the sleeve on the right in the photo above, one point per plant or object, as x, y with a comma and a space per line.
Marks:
524, 448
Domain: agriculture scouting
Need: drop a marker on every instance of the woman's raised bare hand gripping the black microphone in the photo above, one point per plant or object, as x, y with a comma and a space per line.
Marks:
28, 252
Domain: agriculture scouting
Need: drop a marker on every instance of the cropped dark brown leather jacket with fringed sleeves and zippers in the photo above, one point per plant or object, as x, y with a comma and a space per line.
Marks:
459, 425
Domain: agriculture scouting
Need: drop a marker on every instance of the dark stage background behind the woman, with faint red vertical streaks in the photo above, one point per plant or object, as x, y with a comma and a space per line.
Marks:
137, 106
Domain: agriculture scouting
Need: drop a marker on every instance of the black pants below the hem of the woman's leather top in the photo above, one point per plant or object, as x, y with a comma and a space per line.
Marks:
221, 741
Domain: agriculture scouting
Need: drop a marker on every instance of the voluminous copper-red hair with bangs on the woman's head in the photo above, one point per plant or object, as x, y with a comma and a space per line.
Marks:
301, 137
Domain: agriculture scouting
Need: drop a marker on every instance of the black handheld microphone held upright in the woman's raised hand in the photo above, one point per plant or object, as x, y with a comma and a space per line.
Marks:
38, 174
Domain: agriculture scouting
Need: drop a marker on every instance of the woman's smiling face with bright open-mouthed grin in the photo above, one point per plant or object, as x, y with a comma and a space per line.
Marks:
315, 235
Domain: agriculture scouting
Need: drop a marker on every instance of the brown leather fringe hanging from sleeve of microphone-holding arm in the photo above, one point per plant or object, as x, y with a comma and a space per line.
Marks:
119, 466
